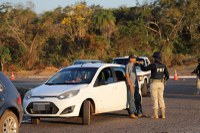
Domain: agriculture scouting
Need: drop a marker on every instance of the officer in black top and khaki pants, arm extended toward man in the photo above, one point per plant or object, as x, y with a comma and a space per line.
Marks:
159, 74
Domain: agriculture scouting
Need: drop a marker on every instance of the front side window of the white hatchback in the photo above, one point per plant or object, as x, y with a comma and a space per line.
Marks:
105, 77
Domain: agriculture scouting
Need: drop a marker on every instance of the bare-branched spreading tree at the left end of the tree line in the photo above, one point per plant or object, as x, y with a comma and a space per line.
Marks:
29, 33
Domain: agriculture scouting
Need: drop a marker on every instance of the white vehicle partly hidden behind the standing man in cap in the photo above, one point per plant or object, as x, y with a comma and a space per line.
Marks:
143, 76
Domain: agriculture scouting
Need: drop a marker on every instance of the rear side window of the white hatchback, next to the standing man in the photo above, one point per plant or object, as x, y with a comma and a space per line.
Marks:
120, 73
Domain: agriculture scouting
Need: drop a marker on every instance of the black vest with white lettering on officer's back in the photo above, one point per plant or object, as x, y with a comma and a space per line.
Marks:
158, 73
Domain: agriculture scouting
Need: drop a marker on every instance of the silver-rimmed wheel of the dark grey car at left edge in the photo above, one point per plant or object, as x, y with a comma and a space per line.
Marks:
9, 123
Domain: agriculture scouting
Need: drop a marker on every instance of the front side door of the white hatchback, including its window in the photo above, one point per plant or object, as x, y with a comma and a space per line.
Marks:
104, 92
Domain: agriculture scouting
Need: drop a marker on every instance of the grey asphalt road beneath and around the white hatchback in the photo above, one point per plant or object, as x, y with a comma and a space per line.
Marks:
182, 115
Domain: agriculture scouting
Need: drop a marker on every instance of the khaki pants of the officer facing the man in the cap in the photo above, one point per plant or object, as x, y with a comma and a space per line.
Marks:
157, 90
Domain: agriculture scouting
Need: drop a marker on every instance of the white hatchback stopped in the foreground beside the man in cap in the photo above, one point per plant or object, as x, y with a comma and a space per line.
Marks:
78, 90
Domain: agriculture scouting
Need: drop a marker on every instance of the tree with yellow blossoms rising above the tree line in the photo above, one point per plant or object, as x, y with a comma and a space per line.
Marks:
77, 21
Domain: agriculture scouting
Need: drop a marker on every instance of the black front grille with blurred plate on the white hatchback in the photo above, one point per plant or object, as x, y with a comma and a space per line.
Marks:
42, 108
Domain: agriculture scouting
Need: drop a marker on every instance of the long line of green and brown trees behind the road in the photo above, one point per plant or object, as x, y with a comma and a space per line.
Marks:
56, 38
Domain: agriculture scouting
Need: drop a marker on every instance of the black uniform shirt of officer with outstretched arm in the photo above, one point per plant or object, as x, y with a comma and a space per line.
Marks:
158, 70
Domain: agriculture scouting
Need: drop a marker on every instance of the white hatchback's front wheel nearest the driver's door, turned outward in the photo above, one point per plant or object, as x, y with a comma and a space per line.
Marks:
86, 113
